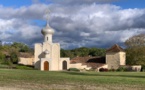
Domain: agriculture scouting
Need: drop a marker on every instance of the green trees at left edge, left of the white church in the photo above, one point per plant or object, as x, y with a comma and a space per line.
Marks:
9, 54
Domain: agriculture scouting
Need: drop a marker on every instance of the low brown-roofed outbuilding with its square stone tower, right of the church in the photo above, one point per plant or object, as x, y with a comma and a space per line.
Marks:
115, 57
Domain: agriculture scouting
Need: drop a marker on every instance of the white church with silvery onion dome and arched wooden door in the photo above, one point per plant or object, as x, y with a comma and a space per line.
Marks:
47, 54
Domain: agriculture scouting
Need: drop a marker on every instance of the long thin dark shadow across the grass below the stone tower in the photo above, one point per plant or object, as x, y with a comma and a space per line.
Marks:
104, 74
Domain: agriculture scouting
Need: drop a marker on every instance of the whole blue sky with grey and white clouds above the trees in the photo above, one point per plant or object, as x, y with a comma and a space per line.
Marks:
77, 23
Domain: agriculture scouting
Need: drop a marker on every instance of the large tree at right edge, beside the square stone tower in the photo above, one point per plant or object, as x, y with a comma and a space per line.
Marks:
135, 52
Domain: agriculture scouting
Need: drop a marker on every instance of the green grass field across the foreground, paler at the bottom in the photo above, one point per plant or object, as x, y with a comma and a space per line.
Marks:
42, 80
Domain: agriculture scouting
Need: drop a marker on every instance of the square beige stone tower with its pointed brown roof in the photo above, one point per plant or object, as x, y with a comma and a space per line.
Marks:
115, 57
